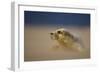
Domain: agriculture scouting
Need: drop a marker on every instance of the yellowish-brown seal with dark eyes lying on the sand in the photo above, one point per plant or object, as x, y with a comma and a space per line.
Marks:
66, 39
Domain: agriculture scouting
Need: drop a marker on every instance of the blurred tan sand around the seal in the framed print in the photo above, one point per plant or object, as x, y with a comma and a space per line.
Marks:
39, 46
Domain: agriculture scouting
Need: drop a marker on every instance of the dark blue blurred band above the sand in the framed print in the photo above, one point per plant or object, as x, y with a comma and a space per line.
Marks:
53, 18
